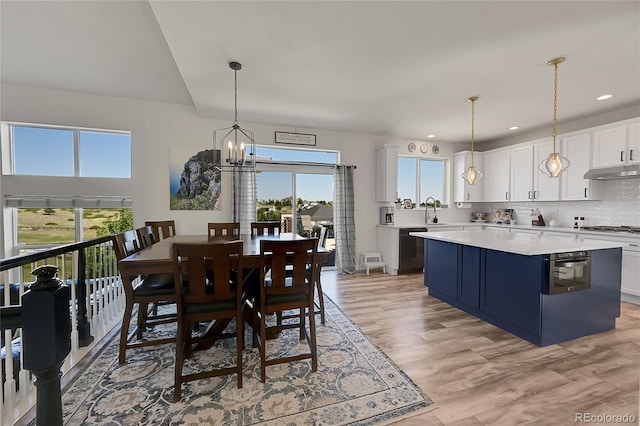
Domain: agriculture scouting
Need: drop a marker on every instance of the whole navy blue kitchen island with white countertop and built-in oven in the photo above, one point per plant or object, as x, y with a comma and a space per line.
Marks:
508, 279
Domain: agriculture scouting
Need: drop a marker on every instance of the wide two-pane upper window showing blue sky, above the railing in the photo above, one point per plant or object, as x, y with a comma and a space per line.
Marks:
53, 151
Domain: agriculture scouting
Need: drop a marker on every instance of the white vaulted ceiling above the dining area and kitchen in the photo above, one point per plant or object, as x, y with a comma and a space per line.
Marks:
392, 68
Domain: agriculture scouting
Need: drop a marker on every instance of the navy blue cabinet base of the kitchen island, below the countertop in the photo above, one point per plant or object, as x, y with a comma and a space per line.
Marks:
507, 290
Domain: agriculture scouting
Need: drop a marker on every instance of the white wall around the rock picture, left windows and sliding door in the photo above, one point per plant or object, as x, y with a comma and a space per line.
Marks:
155, 128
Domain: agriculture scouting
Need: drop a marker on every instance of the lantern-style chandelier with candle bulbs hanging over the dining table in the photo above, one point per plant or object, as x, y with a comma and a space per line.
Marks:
237, 143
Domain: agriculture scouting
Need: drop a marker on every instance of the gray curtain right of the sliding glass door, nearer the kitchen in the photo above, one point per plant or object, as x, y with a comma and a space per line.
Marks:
344, 219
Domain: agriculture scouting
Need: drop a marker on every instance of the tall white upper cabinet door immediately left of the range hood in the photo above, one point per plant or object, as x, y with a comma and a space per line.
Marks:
576, 148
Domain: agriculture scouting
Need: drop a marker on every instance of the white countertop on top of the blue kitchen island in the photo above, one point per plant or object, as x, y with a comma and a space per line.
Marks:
524, 243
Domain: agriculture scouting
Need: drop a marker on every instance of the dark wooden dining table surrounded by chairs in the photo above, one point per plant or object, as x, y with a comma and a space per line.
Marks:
158, 259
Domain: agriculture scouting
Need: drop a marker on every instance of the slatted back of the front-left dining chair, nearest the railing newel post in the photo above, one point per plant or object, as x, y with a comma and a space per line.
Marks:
206, 271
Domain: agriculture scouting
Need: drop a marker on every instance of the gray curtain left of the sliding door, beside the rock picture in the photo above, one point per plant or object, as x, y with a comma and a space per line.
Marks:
244, 197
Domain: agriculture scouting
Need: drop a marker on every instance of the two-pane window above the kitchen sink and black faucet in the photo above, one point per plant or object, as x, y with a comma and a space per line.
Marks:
421, 178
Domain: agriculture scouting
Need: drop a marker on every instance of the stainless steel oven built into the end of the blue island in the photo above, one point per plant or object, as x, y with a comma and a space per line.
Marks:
570, 271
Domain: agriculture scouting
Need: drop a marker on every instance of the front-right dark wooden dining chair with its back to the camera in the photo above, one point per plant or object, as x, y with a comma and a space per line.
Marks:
282, 290
